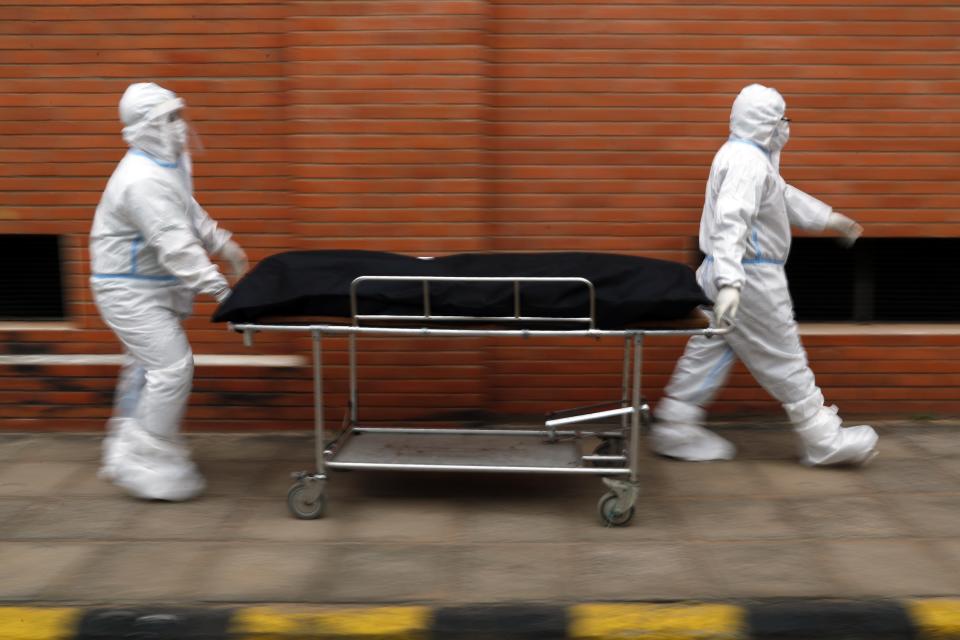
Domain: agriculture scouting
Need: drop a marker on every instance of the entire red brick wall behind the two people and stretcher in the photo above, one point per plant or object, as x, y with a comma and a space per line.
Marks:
436, 126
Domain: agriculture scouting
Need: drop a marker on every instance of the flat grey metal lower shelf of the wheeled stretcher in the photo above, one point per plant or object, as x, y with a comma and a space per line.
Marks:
513, 450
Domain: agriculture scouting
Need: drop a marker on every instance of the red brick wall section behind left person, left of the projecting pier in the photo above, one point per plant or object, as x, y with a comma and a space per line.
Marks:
63, 67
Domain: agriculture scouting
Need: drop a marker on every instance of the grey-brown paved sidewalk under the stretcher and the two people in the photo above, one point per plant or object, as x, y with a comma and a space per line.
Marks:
759, 527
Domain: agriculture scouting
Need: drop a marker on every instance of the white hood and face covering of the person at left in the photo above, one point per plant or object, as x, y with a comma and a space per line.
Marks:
144, 110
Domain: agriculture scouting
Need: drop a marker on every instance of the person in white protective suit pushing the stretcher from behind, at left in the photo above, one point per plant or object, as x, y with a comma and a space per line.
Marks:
149, 248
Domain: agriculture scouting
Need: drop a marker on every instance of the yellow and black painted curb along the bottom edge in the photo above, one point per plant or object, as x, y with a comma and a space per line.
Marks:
913, 619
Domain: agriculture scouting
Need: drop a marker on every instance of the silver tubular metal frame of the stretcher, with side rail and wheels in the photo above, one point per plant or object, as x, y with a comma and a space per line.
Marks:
616, 460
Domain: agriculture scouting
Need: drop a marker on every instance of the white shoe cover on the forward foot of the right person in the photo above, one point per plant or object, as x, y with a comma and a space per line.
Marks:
824, 442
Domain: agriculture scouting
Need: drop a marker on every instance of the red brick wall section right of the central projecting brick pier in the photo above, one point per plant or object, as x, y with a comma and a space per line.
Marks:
607, 118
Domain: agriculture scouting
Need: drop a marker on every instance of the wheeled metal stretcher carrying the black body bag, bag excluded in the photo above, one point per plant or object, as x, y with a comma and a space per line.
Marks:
555, 447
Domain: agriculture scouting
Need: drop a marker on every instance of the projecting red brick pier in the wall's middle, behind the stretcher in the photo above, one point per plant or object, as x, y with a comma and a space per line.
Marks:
389, 151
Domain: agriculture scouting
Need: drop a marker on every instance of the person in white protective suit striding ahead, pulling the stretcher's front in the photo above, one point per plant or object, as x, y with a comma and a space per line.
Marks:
745, 236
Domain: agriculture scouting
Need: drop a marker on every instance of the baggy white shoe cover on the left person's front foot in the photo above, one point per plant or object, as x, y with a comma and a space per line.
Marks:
154, 469
